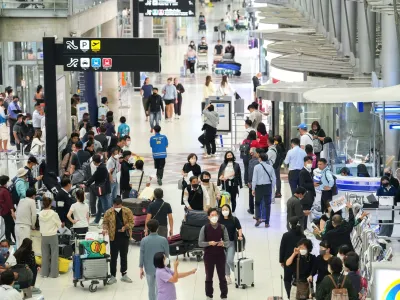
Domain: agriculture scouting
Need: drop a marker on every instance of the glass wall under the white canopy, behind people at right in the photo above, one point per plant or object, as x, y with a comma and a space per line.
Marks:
354, 131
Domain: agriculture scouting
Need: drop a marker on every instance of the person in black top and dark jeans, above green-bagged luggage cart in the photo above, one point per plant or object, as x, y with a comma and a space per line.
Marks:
101, 180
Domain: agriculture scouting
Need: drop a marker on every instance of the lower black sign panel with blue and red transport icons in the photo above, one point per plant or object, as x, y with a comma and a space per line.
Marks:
112, 63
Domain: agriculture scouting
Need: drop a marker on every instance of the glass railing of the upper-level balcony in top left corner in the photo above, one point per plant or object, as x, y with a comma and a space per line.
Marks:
45, 8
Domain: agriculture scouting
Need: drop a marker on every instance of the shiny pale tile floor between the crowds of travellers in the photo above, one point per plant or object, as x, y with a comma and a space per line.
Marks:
262, 244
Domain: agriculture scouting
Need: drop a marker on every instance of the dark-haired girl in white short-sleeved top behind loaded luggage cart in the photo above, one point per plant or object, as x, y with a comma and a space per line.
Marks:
80, 210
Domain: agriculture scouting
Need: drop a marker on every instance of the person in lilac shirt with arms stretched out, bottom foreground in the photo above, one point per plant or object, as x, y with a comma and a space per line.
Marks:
166, 278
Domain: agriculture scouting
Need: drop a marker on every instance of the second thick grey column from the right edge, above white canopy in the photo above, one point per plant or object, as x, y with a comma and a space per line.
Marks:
366, 38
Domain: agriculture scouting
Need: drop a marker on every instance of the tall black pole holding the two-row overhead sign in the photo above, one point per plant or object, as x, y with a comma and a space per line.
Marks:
49, 70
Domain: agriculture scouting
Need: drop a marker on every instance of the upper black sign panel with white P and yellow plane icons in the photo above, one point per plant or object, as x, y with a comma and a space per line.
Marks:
111, 46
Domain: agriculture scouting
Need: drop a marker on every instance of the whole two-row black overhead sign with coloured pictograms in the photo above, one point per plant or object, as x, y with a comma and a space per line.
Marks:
111, 54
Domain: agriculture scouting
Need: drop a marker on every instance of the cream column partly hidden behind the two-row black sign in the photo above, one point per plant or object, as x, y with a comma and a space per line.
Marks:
110, 79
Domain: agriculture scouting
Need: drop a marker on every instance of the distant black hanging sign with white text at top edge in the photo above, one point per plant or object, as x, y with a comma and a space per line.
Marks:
169, 8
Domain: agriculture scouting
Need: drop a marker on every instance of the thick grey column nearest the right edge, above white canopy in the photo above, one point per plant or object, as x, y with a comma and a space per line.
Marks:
390, 57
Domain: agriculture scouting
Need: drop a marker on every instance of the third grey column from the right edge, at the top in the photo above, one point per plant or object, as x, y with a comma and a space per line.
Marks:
349, 27
